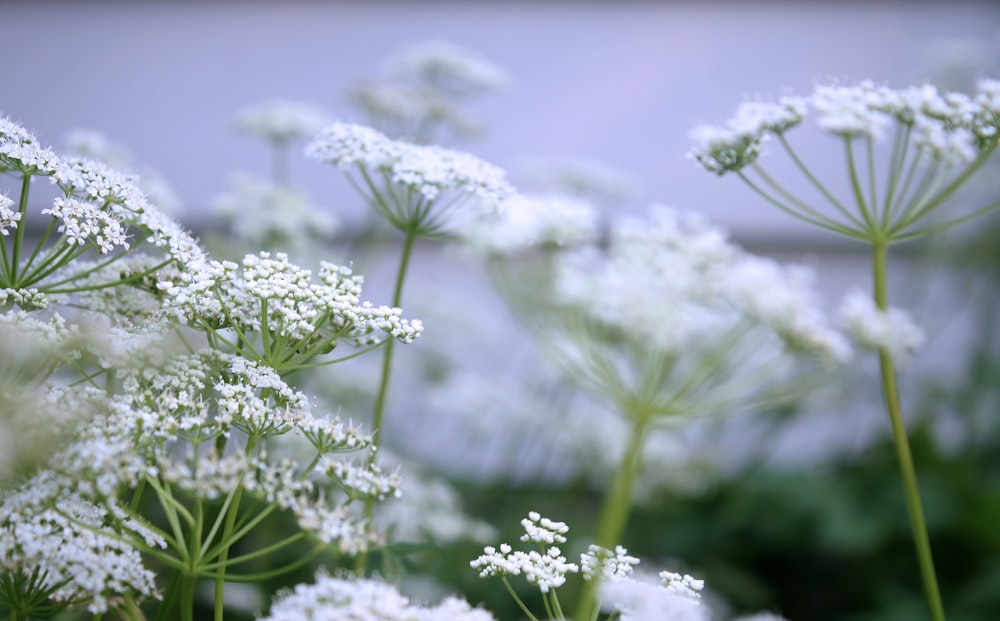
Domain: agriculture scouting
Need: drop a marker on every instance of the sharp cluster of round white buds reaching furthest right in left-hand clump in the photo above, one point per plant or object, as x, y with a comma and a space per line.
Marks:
279, 300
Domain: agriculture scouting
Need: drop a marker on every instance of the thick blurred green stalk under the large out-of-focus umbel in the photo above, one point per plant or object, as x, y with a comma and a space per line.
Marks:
615, 510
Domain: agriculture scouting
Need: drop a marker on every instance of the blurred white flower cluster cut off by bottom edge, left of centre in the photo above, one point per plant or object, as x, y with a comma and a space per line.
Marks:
364, 600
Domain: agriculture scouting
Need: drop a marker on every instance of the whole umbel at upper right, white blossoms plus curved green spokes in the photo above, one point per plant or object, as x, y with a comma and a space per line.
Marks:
937, 141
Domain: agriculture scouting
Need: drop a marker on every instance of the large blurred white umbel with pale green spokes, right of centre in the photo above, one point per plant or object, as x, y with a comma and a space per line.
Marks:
672, 318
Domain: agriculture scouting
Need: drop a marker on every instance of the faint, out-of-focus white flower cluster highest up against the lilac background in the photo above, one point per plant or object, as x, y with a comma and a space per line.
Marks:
449, 69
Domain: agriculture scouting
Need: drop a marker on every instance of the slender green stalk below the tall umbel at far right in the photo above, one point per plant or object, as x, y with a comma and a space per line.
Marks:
918, 525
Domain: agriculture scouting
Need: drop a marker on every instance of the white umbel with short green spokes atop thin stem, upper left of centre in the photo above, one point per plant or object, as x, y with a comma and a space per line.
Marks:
416, 188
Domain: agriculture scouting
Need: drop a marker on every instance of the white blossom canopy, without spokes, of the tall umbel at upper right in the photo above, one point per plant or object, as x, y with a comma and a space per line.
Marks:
949, 127
